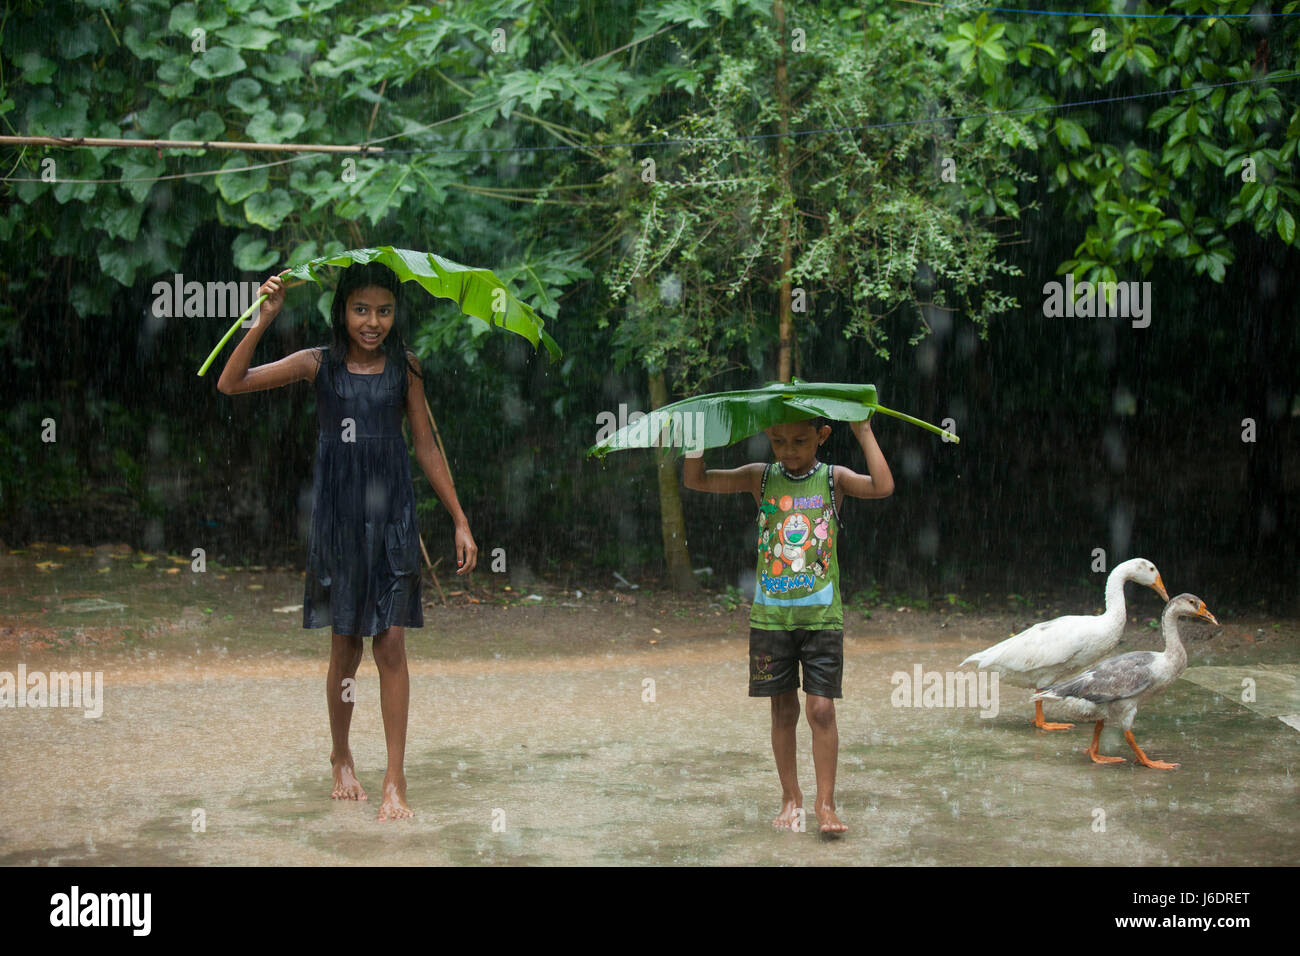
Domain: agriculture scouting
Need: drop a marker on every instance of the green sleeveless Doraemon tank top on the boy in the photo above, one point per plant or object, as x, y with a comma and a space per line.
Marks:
799, 576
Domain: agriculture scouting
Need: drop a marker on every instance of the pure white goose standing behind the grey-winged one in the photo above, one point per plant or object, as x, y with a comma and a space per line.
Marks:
1063, 647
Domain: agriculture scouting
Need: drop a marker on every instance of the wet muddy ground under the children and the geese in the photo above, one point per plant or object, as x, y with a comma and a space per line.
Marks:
531, 743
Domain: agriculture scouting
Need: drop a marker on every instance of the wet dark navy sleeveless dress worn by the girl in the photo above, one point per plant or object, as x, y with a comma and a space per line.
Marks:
363, 556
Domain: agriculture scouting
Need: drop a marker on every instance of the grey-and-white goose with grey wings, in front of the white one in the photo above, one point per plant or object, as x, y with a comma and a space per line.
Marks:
1116, 687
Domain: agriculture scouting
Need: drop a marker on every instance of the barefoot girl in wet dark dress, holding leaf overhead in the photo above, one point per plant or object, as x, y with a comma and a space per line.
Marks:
363, 561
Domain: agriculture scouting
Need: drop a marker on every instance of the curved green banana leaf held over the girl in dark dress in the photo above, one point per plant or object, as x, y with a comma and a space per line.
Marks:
478, 292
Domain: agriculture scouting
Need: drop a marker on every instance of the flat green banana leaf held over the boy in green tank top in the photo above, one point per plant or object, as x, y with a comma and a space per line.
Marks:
725, 418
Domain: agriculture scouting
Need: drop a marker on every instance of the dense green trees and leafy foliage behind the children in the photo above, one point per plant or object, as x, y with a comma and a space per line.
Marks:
950, 181
